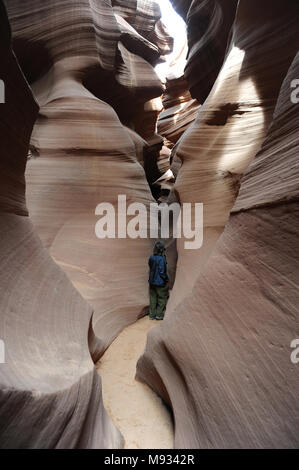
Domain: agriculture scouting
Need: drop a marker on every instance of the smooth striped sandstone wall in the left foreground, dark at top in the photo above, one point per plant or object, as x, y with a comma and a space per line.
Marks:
50, 391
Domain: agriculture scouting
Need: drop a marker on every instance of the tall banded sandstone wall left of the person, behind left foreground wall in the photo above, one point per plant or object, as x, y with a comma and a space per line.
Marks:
94, 79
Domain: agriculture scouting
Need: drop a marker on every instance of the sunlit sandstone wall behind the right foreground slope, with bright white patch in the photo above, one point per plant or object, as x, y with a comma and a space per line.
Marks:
232, 122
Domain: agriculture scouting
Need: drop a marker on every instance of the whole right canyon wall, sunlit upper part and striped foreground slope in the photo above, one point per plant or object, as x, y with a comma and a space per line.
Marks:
221, 359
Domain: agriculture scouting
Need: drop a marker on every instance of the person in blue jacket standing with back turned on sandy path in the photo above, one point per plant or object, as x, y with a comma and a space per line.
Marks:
158, 282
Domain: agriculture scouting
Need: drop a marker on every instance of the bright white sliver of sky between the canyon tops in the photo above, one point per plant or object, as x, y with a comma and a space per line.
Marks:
177, 28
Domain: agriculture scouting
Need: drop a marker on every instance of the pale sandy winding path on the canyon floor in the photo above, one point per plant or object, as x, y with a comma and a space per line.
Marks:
135, 409
